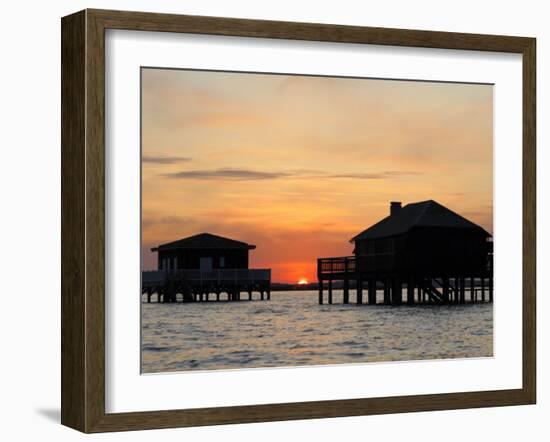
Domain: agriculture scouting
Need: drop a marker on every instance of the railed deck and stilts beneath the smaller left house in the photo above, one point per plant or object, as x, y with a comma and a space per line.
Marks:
206, 286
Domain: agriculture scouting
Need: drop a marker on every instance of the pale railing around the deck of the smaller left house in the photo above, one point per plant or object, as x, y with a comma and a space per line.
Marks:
220, 275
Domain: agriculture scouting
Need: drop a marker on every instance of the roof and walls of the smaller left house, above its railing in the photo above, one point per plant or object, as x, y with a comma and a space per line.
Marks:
203, 251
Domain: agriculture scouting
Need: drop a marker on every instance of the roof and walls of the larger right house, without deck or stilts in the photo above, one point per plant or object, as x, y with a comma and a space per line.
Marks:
423, 238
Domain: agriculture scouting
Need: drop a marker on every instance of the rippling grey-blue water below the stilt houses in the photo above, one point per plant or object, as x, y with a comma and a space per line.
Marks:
292, 329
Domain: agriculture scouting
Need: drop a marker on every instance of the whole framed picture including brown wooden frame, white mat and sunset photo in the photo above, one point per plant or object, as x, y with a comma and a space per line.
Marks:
270, 220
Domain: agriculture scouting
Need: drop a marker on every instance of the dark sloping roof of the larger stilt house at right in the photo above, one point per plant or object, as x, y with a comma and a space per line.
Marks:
425, 214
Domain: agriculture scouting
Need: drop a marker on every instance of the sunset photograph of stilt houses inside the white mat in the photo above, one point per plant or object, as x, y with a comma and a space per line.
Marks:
298, 220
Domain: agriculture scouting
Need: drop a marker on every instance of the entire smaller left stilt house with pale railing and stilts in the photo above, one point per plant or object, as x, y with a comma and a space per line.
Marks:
194, 268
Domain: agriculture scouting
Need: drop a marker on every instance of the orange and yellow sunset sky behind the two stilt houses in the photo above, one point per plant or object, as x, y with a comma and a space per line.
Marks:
298, 165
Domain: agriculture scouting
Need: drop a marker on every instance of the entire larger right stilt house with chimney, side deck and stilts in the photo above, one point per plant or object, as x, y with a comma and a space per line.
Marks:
424, 245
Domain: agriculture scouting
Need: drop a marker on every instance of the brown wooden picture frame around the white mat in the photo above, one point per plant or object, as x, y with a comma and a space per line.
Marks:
83, 220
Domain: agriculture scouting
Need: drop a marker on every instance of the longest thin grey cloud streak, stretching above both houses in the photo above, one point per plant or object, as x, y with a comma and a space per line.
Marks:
251, 175
